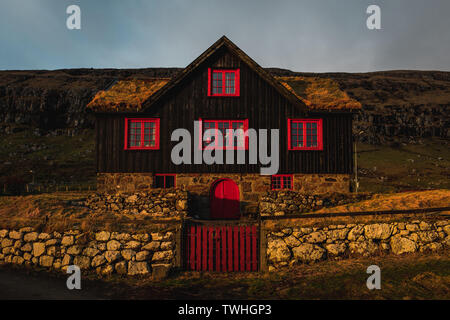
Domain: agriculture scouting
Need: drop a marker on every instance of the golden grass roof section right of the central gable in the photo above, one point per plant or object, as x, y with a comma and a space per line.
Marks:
319, 93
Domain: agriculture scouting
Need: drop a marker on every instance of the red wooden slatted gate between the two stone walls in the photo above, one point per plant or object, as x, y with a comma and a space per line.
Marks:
222, 248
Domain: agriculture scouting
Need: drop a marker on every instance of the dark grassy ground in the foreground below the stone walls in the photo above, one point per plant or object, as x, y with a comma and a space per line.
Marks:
415, 276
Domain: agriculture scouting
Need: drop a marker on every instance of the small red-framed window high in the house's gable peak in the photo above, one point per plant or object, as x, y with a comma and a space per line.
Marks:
223, 83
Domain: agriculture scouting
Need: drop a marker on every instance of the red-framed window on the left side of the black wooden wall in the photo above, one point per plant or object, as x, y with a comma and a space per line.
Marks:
141, 134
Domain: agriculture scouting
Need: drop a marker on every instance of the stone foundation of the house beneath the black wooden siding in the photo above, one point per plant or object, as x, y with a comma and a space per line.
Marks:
198, 185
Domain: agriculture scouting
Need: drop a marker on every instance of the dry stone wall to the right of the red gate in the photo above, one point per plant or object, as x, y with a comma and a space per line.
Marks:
293, 245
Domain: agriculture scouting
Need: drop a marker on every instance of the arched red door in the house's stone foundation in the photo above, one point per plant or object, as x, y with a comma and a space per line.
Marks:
225, 200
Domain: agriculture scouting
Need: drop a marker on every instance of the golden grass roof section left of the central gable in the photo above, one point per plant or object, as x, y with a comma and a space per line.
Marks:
126, 95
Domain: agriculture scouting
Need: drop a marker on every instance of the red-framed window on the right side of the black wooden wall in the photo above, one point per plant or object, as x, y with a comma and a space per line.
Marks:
305, 134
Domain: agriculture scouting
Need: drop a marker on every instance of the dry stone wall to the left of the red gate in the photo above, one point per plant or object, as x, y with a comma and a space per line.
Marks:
103, 252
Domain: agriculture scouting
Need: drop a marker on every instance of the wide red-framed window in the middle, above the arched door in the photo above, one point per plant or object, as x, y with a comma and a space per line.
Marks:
231, 139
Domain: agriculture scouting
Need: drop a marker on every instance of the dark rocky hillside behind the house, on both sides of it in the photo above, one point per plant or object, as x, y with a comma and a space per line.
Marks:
398, 106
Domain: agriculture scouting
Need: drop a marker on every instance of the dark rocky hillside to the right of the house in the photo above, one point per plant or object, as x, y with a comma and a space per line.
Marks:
397, 105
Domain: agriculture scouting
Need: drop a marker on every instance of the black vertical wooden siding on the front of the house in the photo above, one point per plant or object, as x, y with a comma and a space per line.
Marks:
259, 102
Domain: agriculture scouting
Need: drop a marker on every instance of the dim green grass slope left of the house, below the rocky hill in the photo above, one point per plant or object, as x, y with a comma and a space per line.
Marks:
58, 159
